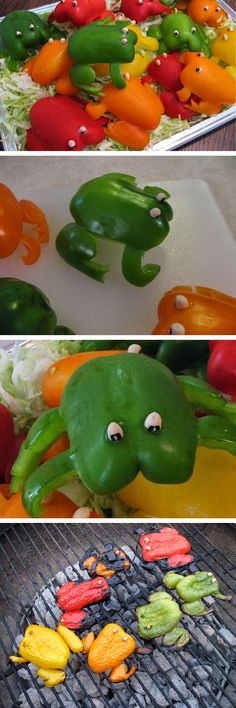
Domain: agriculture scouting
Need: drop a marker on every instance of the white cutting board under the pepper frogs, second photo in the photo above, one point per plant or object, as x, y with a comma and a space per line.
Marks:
199, 250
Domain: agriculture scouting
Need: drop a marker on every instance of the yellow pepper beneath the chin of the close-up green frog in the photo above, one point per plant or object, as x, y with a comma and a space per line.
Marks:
210, 492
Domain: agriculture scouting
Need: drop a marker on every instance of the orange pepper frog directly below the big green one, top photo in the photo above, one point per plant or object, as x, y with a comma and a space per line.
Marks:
137, 104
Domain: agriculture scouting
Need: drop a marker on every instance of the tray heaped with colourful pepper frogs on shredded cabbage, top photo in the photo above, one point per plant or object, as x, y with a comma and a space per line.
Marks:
116, 75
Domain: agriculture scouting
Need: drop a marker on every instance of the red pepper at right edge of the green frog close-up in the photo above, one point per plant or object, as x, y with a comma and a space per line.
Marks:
221, 368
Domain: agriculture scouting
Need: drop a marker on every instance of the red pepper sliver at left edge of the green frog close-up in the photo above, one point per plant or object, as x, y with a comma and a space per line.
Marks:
9, 444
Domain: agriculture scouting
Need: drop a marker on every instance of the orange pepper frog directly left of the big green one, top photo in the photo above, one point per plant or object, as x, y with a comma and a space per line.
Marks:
51, 61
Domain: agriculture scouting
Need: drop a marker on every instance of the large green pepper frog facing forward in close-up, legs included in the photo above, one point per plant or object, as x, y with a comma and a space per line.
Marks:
123, 413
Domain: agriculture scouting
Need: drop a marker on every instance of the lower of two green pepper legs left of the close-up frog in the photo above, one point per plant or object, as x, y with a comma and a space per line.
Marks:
48, 477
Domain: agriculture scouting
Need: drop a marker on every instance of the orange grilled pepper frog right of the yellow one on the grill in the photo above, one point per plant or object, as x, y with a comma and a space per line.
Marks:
109, 650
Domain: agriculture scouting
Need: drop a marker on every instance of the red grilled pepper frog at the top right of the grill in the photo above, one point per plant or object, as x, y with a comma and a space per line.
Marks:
166, 543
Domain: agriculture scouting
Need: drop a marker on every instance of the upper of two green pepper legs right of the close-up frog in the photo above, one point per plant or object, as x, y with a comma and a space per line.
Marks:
206, 398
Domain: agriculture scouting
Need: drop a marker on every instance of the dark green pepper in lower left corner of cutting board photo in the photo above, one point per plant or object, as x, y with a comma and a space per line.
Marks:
24, 309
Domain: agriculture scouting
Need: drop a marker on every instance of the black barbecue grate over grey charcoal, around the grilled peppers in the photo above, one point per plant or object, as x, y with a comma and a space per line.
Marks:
37, 559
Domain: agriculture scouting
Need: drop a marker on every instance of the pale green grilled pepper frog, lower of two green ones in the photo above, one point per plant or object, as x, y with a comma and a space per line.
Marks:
160, 618
